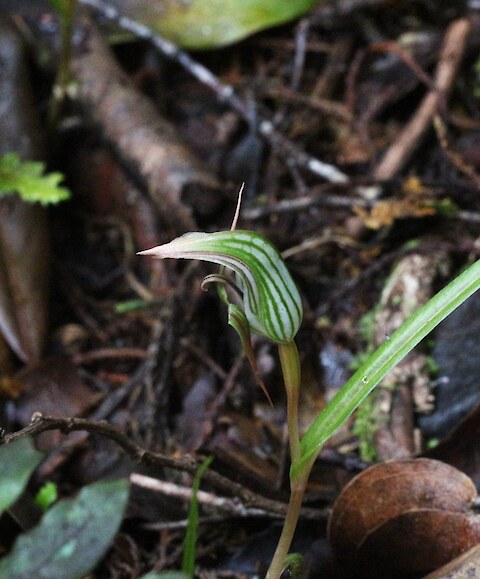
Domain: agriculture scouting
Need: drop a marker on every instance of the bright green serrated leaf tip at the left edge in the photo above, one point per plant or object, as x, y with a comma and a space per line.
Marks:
27, 178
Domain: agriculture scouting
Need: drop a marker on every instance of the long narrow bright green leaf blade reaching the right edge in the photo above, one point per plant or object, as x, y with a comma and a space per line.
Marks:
388, 355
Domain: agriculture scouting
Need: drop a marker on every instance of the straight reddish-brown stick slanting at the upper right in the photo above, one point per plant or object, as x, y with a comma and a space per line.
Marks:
406, 143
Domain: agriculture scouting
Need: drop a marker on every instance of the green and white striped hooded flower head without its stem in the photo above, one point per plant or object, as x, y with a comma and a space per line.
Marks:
271, 302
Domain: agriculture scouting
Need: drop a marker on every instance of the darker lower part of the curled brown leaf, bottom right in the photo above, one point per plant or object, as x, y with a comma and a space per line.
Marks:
417, 541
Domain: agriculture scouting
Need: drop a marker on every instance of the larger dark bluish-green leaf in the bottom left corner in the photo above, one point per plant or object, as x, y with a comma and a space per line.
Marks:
72, 536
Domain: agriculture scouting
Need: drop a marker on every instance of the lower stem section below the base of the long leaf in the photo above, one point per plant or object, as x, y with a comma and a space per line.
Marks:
298, 486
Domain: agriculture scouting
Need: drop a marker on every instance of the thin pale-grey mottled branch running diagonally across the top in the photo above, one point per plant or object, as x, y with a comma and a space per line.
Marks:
224, 92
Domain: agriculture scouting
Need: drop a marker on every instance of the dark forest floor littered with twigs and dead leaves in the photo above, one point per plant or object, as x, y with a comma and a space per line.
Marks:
356, 130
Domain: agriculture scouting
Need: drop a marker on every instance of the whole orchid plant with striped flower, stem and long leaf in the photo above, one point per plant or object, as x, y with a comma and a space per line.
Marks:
271, 306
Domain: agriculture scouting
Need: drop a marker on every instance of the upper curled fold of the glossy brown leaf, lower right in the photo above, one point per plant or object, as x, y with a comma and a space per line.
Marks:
388, 490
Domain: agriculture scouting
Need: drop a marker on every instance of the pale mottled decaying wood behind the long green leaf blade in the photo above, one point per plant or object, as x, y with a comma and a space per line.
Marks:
407, 387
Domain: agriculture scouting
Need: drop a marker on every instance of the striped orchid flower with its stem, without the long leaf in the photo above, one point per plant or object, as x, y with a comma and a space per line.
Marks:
270, 306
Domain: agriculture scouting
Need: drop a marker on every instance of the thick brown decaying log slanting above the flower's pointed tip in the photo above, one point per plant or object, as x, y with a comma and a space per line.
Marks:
146, 142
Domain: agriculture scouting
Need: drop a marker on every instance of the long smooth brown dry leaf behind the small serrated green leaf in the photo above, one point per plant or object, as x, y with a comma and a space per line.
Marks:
24, 251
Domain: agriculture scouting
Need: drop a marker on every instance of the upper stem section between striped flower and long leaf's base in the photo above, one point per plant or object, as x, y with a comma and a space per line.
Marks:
290, 362
